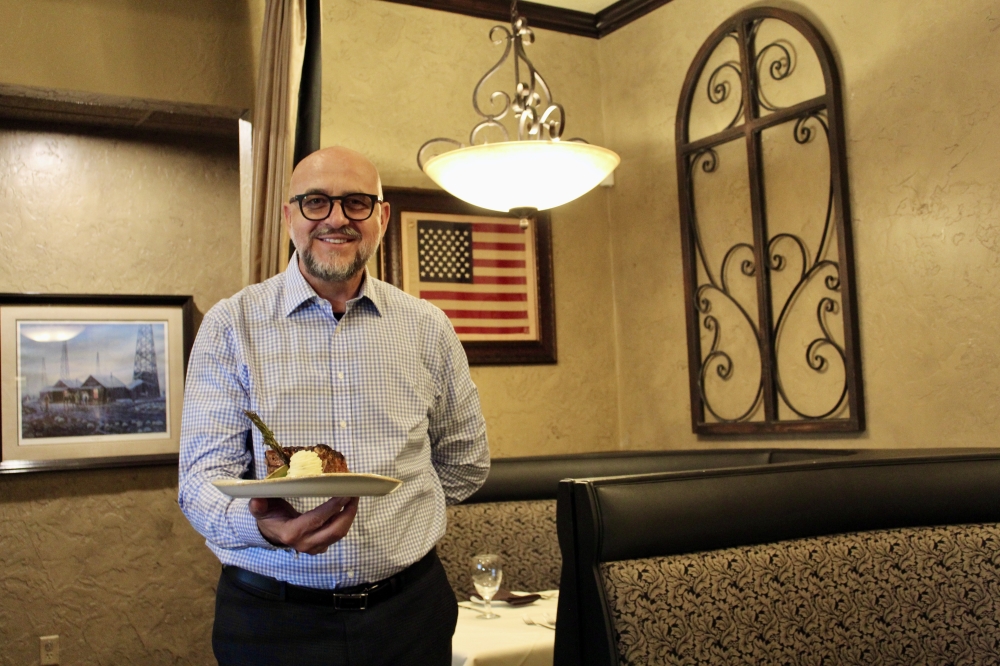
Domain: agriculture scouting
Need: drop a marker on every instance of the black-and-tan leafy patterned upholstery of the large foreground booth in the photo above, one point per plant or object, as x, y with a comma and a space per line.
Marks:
903, 596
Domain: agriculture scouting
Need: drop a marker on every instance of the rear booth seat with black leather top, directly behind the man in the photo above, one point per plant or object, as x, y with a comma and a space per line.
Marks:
514, 513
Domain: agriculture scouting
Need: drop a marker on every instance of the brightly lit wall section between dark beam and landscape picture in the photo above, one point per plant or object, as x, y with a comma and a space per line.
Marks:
98, 215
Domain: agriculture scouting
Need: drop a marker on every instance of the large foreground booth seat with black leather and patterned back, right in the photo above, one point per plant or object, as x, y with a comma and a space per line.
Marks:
876, 558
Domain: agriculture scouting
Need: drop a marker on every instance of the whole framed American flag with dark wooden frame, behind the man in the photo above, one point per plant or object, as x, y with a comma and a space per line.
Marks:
489, 272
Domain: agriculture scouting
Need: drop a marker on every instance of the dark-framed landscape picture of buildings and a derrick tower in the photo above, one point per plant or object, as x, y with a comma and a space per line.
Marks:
91, 381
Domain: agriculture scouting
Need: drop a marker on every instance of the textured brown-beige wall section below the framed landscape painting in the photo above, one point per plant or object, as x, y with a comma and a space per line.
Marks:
105, 560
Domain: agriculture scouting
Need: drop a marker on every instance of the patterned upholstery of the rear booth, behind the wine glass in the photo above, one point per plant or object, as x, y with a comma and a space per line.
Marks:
524, 533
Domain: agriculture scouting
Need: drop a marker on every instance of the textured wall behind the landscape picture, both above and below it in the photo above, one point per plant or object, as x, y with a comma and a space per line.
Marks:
104, 558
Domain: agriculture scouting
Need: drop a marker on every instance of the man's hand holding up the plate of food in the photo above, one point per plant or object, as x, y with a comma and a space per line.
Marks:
311, 532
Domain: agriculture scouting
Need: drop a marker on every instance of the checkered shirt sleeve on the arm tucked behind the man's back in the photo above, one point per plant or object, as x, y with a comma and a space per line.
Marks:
459, 449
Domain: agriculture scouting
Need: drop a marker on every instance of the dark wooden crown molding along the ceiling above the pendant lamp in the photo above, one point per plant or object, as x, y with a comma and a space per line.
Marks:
567, 21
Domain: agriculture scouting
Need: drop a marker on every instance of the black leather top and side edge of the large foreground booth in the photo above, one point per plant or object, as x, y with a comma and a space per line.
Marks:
613, 519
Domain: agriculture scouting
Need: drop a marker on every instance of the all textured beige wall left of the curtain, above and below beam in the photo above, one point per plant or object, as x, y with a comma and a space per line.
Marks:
104, 558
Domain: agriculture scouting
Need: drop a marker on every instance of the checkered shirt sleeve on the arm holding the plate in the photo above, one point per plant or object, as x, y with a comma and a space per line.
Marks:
213, 438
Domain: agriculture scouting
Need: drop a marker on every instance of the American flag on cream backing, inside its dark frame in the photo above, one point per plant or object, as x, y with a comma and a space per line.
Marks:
480, 271
